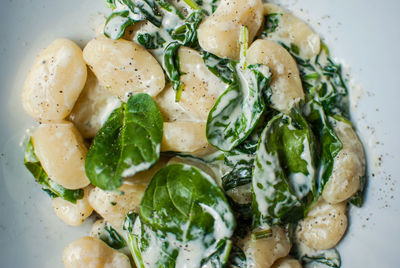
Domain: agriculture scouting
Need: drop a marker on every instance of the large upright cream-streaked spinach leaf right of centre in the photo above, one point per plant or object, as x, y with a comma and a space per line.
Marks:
284, 172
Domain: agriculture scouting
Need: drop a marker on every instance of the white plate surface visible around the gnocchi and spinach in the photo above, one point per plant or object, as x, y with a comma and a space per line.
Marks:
363, 33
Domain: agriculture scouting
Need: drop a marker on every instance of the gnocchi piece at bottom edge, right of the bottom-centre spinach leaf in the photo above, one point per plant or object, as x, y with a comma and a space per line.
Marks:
262, 253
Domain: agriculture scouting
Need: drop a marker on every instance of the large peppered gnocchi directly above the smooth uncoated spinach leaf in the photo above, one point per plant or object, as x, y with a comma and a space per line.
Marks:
124, 67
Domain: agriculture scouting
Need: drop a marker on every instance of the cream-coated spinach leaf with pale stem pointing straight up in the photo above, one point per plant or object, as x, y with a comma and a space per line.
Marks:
238, 110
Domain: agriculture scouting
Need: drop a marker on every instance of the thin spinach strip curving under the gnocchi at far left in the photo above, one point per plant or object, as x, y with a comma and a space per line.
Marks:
53, 189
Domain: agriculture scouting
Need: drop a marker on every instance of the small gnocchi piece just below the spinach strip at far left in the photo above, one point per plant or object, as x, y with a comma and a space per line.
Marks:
73, 214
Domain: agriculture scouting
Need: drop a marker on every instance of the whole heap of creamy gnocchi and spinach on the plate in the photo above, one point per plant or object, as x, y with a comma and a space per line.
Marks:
196, 134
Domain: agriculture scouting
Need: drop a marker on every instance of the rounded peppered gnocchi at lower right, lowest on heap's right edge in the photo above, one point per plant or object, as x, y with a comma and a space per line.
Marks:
324, 225
